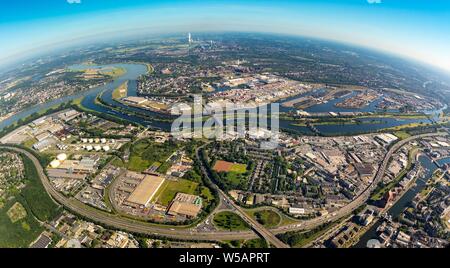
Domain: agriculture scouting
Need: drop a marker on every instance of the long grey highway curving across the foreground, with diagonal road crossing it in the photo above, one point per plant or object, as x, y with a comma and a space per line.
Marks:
184, 233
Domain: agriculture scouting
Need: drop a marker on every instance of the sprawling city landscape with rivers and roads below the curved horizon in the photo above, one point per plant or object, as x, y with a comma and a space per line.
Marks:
362, 159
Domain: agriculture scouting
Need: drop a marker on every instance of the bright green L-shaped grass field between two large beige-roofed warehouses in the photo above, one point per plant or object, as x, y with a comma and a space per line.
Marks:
169, 190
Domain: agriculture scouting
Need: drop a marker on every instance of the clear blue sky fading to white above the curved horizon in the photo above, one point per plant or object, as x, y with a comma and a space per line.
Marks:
416, 29
